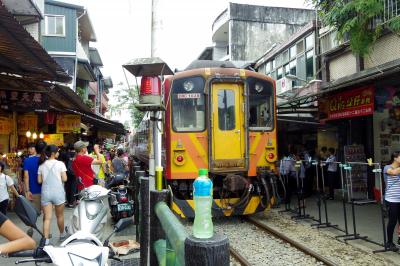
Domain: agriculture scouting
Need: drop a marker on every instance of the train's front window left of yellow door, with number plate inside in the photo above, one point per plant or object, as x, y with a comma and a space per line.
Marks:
188, 104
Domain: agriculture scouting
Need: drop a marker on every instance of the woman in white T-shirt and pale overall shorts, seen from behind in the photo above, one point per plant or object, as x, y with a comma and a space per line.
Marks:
51, 174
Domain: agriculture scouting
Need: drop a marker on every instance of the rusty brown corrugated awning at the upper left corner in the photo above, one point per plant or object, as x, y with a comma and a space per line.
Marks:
21, 54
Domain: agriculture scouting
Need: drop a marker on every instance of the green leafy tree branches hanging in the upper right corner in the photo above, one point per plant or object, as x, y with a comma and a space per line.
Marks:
357, 20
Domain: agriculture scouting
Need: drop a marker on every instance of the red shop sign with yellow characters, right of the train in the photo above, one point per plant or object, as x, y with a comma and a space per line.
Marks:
358, 102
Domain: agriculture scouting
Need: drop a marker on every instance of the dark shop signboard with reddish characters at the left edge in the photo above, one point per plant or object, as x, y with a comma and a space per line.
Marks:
23, 101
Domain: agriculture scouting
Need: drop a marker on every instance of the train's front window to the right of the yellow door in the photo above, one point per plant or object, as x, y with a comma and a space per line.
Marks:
261, 104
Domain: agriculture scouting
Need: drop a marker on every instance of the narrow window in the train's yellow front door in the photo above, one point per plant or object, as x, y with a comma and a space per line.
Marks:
226, 110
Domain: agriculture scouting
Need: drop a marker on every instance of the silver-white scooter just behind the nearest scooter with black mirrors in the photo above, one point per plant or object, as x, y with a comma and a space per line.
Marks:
90, 215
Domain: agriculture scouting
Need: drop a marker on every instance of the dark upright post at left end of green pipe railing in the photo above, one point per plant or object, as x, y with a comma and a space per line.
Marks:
156, 230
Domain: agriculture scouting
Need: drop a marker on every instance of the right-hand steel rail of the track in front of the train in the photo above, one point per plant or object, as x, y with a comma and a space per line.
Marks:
292, 242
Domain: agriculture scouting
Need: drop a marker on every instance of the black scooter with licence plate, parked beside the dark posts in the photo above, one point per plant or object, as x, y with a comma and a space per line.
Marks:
120, 204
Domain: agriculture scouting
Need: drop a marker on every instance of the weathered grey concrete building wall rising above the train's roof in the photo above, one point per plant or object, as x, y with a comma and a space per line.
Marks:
254, 29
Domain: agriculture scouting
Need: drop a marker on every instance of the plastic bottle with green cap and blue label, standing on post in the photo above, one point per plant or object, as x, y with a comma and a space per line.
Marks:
203, 198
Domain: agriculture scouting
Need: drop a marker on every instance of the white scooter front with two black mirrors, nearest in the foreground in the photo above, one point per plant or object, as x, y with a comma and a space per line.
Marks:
81, 248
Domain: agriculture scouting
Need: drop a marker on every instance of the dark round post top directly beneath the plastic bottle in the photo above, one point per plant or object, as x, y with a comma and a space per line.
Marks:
207, 252
